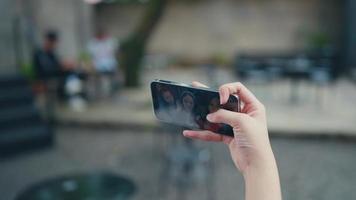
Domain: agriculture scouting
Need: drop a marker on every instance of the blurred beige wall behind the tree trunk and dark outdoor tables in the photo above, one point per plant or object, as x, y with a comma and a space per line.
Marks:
205, 28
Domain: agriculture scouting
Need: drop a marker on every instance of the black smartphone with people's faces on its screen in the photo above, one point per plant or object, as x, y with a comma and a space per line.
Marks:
187, 106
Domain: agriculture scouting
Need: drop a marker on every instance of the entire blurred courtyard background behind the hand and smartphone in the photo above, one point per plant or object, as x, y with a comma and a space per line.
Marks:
76, 118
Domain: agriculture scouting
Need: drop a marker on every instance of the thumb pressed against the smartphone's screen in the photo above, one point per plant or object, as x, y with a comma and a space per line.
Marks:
231, 118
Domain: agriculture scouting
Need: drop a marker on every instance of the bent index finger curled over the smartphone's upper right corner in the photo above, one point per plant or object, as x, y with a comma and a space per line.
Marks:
238, 88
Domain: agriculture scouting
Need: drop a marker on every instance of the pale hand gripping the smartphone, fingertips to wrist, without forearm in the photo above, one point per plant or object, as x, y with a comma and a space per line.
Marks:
250, 145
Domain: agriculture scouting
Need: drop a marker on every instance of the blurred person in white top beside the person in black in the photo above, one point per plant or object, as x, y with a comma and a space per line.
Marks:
102, 49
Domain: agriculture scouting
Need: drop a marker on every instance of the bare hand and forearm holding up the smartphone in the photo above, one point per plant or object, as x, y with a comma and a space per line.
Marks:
250, 147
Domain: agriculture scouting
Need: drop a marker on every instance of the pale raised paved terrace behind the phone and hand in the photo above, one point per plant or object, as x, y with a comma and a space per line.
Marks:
317, 110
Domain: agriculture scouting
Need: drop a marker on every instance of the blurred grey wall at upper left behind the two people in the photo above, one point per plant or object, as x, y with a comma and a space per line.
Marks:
24, 22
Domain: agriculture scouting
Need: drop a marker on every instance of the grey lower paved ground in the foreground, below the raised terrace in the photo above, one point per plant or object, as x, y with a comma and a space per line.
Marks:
310, 169
